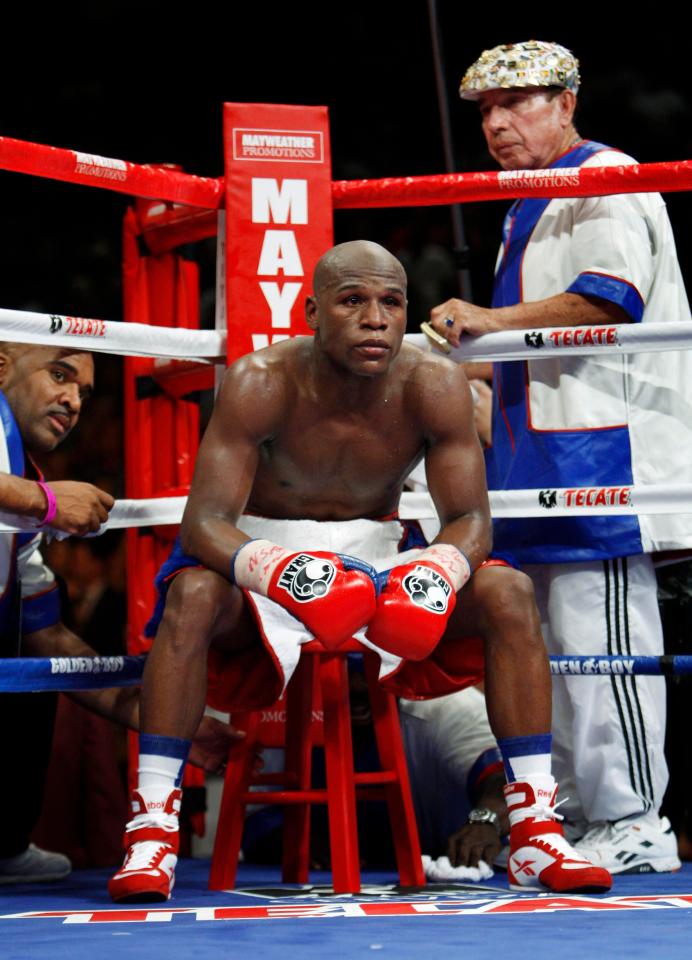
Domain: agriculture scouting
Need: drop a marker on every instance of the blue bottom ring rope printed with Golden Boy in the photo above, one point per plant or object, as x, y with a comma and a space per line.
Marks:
34, 674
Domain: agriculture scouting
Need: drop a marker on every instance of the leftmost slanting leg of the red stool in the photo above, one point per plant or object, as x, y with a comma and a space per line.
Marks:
229, 830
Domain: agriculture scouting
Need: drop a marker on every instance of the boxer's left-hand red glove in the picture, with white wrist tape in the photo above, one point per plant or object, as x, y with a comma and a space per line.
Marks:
334, 595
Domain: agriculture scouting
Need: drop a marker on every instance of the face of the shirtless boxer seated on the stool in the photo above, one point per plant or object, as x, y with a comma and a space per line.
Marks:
359, 317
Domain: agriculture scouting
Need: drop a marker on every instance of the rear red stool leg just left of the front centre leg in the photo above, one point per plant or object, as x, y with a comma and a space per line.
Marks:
298, 751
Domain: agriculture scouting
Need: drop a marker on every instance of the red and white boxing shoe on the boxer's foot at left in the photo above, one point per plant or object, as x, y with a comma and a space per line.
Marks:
151, 842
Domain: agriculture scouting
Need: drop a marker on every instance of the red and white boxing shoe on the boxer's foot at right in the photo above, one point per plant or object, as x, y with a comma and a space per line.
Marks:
539, 856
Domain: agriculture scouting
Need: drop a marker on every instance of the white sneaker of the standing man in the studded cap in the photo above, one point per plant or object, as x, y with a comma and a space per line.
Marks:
646, 844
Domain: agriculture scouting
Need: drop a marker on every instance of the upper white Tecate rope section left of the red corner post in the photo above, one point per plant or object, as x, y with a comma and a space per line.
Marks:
108, 336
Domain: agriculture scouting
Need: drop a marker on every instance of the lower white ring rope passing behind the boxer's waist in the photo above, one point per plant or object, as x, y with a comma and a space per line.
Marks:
555, 502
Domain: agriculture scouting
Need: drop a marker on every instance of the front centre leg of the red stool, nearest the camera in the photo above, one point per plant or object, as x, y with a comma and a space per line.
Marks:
341, 794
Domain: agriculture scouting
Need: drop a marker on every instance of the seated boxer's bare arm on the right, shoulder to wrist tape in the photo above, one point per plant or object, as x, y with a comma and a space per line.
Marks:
454, 462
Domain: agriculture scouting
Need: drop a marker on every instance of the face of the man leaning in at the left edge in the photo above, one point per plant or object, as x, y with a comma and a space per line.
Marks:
45, 388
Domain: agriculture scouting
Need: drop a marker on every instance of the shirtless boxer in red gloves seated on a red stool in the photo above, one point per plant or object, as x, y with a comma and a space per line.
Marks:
317, 434
